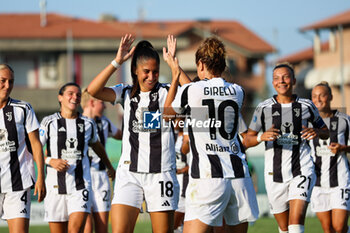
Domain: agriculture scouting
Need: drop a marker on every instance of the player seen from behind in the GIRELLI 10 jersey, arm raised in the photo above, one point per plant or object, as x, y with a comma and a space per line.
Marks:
220, 186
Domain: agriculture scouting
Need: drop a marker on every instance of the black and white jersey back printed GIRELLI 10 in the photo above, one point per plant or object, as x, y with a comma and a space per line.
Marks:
213, 108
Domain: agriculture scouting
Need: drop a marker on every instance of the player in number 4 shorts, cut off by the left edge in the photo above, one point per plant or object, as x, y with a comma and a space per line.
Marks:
17, 124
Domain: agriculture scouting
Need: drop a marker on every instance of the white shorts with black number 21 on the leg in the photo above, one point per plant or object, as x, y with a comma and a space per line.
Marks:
279, 194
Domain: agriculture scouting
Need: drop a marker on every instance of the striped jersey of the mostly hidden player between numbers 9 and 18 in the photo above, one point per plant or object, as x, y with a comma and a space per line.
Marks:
105, 129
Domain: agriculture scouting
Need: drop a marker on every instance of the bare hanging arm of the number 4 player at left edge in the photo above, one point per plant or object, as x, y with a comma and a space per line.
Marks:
38, 157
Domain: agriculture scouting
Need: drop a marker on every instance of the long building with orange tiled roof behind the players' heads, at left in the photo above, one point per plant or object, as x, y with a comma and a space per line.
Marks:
47, 51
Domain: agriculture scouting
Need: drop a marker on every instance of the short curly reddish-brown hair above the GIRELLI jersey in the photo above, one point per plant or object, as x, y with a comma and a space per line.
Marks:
212, 53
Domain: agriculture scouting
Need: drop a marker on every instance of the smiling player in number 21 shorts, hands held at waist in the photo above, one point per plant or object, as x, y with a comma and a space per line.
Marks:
289, 170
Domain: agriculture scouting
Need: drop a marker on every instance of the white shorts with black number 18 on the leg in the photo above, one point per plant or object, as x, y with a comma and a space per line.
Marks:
159, 190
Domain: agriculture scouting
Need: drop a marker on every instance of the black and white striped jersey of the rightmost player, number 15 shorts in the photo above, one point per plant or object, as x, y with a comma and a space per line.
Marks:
332, 170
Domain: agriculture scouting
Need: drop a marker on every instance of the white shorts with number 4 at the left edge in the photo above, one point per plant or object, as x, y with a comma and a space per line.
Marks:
15, 204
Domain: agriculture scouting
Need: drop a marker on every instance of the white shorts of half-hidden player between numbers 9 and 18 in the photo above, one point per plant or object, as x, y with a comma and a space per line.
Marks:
101, 191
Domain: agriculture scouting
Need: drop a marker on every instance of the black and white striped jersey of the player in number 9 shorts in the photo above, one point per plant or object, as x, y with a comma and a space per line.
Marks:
68, 139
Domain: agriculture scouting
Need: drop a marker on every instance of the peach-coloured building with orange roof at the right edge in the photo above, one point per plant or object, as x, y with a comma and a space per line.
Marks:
328, 60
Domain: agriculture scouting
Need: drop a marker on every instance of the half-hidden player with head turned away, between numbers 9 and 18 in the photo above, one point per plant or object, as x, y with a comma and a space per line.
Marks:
101, 191
